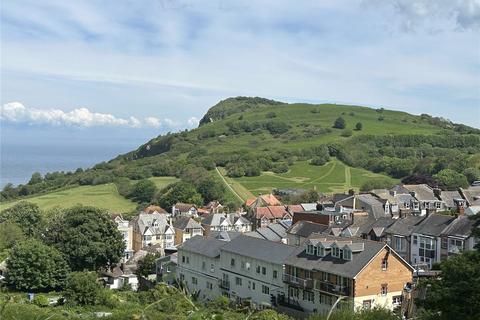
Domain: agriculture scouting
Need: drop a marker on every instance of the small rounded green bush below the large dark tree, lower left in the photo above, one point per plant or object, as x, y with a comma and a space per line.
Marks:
82, 288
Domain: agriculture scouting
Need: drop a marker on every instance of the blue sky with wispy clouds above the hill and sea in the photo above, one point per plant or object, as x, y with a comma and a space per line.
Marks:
154, 66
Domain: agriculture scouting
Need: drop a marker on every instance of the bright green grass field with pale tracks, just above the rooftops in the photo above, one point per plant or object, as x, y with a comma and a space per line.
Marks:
331, 177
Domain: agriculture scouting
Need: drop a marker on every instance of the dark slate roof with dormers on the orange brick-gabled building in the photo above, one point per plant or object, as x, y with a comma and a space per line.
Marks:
345, 268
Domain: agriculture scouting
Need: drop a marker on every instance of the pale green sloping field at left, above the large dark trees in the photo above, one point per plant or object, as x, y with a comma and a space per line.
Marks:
103, 196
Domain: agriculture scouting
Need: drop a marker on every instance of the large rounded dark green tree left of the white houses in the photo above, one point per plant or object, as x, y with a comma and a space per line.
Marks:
87, 237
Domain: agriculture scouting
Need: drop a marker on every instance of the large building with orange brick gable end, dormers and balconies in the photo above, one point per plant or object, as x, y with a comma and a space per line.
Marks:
326, 269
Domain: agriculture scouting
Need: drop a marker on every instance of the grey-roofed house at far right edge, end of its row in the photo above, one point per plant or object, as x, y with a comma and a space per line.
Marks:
457, 236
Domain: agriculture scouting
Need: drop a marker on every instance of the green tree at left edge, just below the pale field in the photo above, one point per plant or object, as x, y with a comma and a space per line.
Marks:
25, 214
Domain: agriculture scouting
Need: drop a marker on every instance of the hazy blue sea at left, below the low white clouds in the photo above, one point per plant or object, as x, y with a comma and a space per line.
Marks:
23, 152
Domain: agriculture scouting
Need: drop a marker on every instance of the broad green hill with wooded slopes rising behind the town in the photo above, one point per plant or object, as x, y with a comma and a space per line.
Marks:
260, 144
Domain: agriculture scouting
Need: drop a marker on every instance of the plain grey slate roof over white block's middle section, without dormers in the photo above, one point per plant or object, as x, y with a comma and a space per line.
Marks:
259, 249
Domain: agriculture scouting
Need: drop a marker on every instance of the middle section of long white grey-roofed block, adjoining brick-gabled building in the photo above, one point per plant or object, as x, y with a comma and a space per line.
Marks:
252, 270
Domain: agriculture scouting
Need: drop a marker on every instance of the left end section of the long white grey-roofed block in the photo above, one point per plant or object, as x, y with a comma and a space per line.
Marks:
198, 266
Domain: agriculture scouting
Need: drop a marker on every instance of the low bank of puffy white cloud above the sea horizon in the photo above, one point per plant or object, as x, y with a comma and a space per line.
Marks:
16, 112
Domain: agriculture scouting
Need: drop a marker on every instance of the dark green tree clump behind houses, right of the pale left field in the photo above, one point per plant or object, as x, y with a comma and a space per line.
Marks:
178, 192
